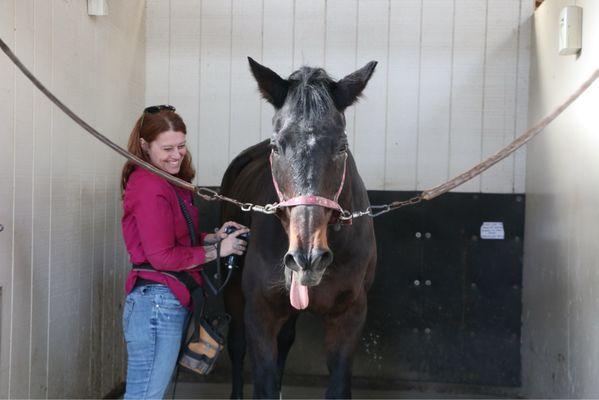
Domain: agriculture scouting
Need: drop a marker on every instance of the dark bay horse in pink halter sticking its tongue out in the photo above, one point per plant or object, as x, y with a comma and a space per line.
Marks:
301, 260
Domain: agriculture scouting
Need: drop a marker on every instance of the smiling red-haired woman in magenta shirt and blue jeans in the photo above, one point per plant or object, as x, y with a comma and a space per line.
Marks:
157, 233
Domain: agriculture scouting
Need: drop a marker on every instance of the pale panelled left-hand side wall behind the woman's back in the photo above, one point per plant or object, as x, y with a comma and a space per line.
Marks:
62, 260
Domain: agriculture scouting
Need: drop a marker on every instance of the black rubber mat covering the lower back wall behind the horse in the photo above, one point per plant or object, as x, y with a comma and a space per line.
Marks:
446, 303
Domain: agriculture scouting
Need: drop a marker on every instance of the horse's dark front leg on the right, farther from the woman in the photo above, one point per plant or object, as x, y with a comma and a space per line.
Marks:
343, 332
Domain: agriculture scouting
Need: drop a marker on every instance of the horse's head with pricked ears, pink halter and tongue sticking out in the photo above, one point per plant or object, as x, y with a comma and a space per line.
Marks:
309, 152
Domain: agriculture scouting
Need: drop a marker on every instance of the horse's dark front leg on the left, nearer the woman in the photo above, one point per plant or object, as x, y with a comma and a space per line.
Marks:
262, 328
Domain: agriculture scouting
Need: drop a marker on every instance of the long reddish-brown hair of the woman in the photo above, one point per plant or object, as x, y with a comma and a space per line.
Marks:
153, 125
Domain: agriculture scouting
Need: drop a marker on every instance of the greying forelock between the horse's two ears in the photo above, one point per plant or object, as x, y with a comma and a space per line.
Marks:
309, 93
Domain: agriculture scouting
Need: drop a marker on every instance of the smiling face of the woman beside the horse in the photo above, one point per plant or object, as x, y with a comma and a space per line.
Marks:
167, 151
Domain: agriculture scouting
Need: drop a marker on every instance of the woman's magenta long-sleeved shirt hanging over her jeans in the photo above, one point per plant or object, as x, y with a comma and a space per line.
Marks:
155, 231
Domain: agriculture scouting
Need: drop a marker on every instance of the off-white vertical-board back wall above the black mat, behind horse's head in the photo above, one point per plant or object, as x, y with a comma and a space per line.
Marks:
451, 86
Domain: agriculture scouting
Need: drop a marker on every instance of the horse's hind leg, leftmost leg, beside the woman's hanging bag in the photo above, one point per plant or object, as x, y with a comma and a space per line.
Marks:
236, 343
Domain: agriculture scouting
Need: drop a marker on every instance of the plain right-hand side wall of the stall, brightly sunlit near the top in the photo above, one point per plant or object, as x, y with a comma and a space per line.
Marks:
560, 337
